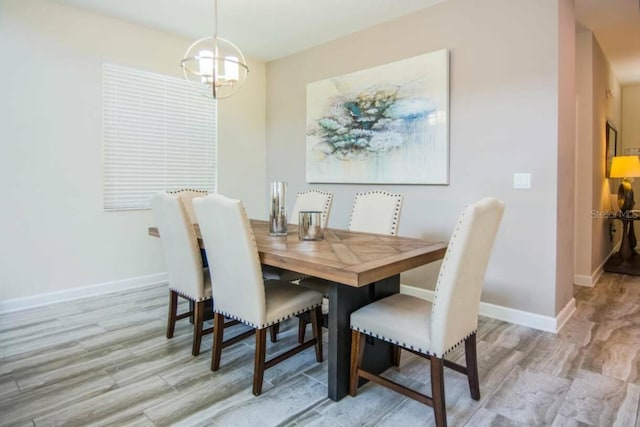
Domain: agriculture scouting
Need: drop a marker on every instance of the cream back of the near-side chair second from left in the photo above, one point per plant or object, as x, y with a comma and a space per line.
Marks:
234, 264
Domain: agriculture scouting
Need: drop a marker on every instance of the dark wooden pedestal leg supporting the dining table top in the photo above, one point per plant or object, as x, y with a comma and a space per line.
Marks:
344, 300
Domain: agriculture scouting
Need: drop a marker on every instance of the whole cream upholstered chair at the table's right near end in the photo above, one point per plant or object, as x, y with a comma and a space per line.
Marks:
433, 329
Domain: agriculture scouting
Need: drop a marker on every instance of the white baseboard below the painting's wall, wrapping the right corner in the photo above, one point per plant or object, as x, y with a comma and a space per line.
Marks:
519, 317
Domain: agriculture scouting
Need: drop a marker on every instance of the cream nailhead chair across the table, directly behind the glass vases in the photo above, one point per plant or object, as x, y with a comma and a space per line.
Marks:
310, 200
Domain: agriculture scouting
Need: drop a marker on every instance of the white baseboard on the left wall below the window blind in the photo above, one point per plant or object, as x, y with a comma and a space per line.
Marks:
15, 304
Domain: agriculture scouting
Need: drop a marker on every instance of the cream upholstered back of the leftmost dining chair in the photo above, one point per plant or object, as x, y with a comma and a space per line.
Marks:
180, 244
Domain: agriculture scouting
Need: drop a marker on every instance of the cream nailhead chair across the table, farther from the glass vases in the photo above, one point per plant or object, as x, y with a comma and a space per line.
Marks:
375, 211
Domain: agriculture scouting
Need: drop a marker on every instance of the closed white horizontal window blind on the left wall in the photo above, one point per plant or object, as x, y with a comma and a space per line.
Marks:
159, 134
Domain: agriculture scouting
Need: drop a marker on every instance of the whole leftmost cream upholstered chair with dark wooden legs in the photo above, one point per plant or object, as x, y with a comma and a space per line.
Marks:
187, 278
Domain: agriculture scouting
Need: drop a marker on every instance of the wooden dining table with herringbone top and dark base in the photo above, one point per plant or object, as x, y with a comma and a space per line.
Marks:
359, 268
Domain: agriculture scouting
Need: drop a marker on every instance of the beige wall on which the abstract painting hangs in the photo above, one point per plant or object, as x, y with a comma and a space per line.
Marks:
505, 77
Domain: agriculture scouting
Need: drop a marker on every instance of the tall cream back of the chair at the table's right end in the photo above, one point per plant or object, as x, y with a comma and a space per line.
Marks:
459, 286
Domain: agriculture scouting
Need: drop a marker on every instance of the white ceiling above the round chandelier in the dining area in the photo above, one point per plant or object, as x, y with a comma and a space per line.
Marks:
263, 29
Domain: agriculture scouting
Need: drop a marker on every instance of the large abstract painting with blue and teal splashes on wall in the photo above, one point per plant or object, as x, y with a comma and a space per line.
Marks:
384, 125
